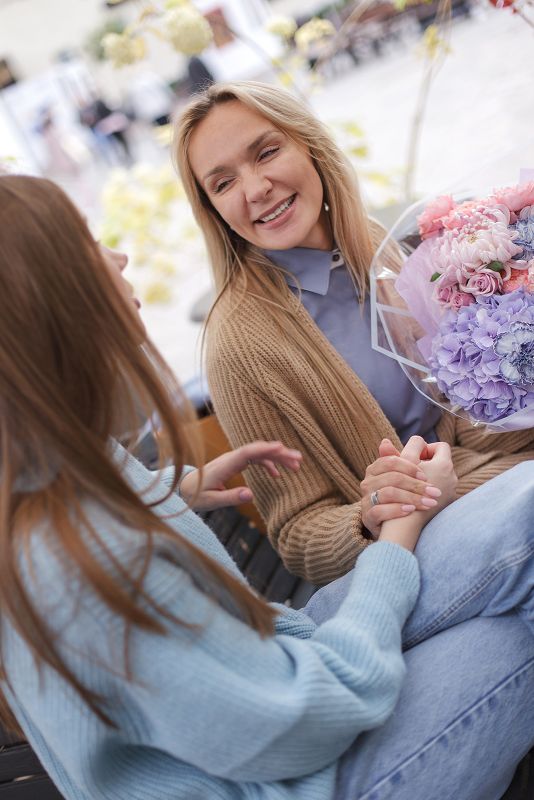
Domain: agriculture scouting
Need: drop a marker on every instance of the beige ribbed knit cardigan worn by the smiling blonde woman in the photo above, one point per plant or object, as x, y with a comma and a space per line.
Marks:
262, 387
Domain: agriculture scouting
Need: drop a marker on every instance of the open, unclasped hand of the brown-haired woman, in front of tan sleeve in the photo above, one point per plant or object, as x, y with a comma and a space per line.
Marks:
213, 492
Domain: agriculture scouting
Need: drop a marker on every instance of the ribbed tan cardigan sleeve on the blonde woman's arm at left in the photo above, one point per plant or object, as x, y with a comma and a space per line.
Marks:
317, 534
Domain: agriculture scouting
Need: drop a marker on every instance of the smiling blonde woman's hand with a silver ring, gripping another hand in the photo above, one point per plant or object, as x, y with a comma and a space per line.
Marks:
398, 484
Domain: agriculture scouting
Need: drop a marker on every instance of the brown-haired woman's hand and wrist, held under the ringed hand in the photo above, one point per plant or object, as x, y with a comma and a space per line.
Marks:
436, 462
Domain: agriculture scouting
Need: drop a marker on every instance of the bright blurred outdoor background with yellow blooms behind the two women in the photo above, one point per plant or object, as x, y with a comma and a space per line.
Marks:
422, 96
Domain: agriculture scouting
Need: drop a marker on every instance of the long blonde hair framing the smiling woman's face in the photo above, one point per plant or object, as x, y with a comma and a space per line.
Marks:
235, 260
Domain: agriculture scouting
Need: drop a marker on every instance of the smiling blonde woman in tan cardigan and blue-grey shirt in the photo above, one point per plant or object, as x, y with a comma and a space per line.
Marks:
288, 340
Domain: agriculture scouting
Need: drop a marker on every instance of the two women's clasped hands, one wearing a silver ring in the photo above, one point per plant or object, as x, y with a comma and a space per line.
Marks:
421, 478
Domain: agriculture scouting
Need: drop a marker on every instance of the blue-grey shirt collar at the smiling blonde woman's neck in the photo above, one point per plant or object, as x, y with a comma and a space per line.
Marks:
310, 269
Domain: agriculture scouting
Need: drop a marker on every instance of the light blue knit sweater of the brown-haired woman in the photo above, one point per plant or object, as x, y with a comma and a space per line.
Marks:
215, 713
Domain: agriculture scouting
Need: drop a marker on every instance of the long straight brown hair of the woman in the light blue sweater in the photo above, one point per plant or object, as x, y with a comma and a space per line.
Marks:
70, 358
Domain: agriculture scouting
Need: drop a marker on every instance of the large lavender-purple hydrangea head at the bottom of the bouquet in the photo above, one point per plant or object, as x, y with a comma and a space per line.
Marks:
479, 348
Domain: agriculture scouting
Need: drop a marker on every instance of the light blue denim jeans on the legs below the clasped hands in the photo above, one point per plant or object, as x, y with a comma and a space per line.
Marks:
465, 716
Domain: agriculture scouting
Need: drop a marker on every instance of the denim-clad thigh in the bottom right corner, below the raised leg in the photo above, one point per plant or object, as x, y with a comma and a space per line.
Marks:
464, 720
